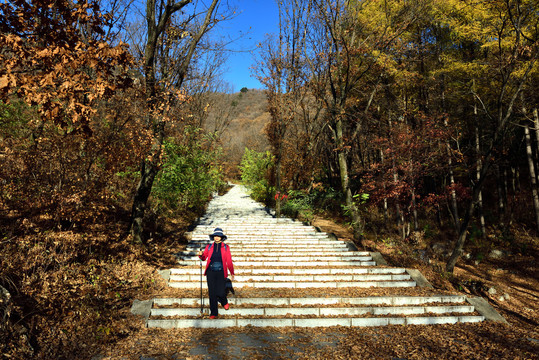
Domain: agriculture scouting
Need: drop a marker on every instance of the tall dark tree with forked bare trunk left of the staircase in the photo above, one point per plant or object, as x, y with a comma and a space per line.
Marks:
158, 19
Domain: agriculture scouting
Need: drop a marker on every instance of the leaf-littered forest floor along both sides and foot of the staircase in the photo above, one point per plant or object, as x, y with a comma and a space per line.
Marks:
71, 293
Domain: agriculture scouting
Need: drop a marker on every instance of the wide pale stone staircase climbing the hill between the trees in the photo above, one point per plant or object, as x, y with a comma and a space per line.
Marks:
290, 274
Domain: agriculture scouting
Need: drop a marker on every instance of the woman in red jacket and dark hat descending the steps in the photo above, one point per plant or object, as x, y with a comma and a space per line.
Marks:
217, 267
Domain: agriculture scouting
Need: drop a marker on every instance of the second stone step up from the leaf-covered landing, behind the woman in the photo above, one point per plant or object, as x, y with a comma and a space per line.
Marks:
298, 271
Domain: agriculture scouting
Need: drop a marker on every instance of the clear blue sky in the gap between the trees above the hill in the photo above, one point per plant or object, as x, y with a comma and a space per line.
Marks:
257, 18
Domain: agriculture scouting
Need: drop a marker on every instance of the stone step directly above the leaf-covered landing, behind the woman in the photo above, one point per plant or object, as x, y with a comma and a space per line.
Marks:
304, 284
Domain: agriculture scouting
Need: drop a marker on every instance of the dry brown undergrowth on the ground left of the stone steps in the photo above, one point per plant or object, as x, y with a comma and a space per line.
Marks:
71, 290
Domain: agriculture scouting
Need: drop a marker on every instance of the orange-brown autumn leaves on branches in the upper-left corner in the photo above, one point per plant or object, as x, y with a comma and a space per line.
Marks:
55, 57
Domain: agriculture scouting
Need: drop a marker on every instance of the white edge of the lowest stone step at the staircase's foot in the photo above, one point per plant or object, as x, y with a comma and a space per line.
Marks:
313, 322
